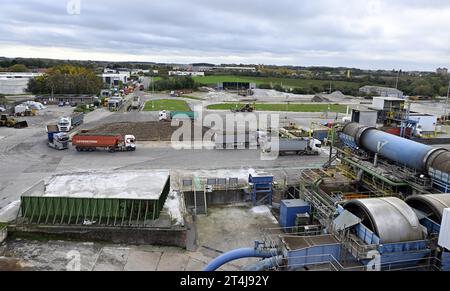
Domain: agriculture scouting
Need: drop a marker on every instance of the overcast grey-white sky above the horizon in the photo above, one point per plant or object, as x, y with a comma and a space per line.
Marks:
374, 34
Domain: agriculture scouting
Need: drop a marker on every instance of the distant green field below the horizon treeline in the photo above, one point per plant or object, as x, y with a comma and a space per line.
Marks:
286, 82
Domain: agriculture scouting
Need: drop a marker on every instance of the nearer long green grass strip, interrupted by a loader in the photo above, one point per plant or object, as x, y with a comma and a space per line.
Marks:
285, 107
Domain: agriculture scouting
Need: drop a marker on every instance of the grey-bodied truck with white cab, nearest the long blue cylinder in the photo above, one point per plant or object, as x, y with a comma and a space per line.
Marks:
301, 146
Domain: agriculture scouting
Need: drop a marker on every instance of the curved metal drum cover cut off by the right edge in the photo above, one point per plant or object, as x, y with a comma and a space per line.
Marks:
430, 205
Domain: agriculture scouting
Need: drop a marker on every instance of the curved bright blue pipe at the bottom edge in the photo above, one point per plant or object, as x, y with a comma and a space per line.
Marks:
237, 255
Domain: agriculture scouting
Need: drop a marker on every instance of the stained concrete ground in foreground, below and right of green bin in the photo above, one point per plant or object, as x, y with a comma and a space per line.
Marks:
225, 229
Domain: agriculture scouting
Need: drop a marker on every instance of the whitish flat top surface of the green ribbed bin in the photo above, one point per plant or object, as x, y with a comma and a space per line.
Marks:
131, 185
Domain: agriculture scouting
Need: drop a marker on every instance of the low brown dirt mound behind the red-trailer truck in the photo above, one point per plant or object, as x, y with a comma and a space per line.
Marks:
145, 131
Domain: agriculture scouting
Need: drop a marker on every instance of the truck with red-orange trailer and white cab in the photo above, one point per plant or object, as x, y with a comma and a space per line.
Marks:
86, 142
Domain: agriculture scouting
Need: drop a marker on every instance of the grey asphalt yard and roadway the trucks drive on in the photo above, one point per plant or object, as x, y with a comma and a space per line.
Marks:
26, 159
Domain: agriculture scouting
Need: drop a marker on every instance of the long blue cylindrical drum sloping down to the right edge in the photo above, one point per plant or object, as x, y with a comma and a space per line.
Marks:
403, 151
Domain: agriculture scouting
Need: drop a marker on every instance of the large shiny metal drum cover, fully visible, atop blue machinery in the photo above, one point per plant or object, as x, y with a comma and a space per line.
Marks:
391, 219
